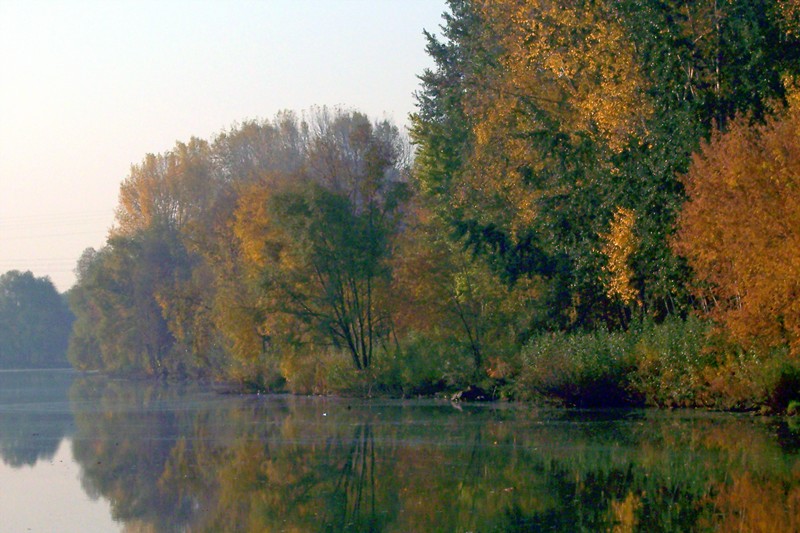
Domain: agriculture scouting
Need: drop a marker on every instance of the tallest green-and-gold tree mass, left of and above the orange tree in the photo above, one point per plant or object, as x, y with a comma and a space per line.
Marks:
540, 120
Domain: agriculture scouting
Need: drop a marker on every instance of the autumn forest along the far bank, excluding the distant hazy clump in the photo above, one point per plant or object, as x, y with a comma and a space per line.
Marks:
597, 203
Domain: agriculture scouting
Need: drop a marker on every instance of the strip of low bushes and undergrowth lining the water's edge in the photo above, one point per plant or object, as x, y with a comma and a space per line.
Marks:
676, 364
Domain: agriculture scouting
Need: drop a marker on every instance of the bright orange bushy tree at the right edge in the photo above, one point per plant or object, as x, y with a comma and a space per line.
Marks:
740, 229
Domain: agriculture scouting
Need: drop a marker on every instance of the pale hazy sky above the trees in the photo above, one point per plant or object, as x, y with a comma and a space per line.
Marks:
88, 88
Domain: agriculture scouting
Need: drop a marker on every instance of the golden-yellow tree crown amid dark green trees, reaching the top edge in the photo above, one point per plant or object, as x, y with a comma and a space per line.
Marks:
567, 66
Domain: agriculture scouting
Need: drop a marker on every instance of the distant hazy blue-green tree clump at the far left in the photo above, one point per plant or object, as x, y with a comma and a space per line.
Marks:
35, 322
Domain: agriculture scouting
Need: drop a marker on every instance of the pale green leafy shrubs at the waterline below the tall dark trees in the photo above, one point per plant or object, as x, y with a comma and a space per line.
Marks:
649, 364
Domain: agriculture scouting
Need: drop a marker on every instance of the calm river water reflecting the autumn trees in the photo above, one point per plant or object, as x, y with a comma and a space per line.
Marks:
83, 453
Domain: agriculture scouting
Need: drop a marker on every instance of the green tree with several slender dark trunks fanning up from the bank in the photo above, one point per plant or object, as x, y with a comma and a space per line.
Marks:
329, 270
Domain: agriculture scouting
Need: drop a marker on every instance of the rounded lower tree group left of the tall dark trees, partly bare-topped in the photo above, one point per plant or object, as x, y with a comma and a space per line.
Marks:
271, 238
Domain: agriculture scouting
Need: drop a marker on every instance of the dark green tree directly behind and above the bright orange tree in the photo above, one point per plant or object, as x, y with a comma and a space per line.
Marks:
706, 62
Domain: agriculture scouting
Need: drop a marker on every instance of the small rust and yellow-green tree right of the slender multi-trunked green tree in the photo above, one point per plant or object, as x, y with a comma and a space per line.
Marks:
440, 292
